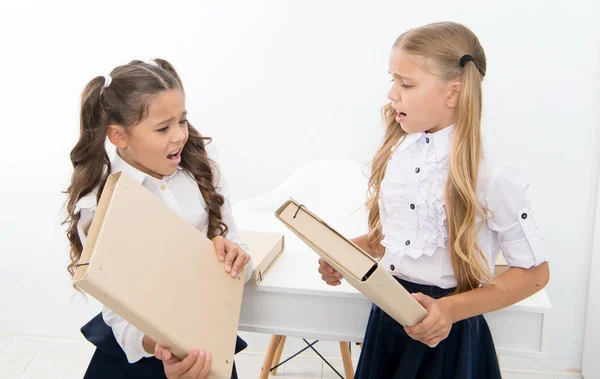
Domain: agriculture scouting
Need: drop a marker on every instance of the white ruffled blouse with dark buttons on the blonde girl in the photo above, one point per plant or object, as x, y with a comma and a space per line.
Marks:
413, 213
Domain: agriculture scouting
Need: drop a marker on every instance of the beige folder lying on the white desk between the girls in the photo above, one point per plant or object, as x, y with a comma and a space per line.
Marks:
264, 248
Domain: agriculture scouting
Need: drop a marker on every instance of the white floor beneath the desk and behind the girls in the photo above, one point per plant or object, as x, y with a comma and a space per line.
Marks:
34, 358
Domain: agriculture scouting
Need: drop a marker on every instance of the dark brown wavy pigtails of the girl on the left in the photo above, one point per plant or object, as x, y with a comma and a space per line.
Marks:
125, 102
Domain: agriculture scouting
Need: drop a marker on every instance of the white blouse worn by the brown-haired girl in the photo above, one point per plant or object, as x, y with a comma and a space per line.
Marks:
181, 193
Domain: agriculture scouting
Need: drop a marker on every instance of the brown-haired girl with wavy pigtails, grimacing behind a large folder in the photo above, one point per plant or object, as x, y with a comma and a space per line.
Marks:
140, 109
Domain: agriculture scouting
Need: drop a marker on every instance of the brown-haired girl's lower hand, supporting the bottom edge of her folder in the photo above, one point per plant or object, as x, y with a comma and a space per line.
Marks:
195, 366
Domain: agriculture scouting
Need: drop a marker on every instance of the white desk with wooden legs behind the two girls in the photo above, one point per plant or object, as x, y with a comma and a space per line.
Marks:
294, 301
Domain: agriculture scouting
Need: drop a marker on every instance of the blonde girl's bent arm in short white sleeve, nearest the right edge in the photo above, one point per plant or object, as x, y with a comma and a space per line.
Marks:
514, 224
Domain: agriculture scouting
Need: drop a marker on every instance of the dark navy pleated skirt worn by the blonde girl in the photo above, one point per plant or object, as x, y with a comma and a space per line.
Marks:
389, 353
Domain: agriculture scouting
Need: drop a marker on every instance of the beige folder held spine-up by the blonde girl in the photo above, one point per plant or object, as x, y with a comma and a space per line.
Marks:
356, 266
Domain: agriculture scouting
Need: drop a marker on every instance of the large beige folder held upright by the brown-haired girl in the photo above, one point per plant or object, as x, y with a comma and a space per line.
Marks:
161, 274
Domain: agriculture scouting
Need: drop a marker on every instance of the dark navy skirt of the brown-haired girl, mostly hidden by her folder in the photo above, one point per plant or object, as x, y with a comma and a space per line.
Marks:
109, 360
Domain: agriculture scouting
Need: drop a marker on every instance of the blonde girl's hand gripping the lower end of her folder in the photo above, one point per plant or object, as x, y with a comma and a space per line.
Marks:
436, 326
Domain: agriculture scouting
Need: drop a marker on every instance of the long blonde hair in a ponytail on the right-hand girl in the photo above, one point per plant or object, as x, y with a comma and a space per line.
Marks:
442, 45
